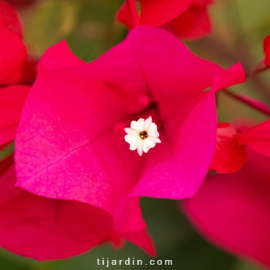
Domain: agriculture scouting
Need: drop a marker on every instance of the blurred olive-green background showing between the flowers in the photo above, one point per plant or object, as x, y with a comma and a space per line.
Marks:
90, 29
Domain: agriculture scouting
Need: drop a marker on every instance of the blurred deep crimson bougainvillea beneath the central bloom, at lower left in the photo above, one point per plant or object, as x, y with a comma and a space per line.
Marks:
49, 229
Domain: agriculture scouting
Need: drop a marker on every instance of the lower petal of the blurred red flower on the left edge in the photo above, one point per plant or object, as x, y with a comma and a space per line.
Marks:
12, 99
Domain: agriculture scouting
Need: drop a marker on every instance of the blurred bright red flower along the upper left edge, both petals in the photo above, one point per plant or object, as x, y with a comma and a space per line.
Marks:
15, 69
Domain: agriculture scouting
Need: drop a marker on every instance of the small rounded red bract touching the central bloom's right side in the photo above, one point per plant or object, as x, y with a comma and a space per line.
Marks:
230, 156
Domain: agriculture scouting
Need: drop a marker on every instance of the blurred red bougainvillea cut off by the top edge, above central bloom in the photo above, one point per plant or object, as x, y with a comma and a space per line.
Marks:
187, 19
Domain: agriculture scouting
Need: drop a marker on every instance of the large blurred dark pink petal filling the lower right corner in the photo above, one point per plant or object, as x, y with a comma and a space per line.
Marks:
232, 210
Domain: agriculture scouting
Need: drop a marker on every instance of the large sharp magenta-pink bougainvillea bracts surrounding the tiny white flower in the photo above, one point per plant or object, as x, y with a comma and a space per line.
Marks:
67, 146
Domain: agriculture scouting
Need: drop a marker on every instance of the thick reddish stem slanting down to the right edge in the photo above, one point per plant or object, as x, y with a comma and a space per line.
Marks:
250, 102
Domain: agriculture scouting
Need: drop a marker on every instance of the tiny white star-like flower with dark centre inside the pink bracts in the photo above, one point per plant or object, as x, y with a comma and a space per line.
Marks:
142, 135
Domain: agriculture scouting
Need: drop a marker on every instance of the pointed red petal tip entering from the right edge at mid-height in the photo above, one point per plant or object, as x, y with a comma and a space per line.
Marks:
258, 138
